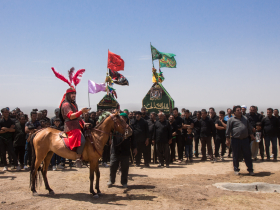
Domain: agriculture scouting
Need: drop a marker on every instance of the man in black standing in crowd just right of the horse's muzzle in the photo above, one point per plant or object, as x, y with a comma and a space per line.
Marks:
141, 136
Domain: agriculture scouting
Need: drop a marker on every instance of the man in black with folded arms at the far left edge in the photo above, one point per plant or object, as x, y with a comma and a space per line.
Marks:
7, 128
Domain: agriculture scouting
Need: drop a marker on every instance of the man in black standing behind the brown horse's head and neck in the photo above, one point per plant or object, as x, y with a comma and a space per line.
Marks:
120, 152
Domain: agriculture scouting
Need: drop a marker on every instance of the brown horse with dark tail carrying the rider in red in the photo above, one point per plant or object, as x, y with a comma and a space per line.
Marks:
46, 142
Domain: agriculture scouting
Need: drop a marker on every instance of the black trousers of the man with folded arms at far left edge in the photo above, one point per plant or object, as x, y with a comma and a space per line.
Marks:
7, 146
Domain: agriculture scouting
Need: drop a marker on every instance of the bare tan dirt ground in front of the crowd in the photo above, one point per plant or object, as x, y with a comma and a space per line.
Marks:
182, 186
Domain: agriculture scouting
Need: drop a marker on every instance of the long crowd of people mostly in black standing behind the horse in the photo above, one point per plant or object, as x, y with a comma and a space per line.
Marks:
157, 137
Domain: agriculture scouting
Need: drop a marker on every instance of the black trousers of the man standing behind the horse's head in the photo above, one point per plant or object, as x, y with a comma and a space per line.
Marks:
115, 161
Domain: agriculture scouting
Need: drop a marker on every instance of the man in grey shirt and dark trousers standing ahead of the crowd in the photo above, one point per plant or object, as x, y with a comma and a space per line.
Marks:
239, 128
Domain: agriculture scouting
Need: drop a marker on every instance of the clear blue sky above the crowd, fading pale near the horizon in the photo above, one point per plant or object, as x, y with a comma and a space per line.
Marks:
227, 52
